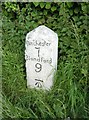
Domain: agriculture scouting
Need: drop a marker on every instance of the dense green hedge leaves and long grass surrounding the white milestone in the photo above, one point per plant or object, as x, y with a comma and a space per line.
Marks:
70, 93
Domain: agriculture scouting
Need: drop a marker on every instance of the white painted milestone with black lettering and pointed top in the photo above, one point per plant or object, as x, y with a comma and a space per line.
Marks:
41, 57
